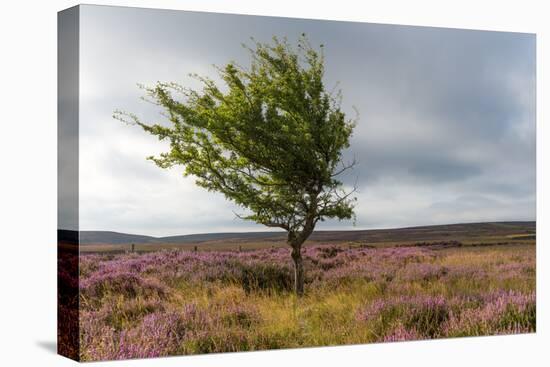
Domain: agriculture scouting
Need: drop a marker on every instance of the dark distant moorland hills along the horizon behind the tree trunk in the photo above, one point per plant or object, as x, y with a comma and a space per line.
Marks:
424, 233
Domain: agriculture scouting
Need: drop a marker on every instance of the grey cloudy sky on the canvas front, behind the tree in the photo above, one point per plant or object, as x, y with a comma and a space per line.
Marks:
446, 132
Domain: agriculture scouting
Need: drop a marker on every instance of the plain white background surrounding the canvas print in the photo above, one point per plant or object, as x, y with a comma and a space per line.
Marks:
28, 182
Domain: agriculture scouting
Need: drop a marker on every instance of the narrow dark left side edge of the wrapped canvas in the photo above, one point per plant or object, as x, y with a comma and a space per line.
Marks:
67, 183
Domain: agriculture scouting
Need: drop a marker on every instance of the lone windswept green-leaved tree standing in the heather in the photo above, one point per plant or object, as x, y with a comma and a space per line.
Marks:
271, 141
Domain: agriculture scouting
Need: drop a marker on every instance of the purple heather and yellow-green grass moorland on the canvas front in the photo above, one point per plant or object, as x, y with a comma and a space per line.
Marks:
174, 302
